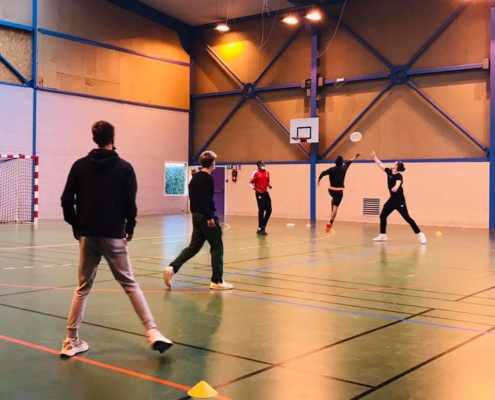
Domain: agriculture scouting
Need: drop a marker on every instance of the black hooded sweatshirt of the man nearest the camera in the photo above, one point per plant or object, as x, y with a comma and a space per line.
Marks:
103, 188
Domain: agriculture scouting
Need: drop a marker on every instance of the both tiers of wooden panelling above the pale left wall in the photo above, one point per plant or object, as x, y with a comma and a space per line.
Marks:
82, 68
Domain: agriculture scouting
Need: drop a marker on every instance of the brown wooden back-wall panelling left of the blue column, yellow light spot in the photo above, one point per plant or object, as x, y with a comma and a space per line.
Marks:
251, 134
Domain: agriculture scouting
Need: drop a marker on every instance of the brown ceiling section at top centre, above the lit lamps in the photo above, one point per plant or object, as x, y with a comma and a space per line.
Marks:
199, 12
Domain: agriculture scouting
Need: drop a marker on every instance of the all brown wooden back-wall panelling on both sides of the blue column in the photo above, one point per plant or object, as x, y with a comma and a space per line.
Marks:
400, 125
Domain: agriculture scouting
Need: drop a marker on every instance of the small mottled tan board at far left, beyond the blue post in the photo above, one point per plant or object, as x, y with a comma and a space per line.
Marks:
16, 46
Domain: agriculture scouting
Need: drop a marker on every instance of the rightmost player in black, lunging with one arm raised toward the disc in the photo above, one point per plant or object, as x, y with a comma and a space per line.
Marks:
397, 200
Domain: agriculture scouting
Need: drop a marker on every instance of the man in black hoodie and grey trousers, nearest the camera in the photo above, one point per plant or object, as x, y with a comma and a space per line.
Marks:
103, 187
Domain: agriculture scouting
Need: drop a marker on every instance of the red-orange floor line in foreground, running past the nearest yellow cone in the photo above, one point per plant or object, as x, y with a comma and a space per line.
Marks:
105, 366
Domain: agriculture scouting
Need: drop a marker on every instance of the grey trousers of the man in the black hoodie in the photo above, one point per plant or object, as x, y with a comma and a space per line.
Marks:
115, 252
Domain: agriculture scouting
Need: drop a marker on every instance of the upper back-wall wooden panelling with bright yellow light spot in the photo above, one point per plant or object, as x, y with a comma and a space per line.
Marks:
247, 53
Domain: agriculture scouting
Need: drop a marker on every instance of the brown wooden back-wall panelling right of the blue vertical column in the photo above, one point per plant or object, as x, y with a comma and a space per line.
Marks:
402, 124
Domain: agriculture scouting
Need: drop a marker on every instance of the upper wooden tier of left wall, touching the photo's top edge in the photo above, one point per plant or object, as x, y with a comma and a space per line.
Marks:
102, 21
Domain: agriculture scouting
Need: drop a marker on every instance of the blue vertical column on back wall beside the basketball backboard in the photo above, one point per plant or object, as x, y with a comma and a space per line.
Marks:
314, 113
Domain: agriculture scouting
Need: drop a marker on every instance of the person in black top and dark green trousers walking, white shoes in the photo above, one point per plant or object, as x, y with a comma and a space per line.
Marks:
206, 226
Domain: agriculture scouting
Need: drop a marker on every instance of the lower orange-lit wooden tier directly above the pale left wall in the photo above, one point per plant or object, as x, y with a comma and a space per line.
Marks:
108, 73
